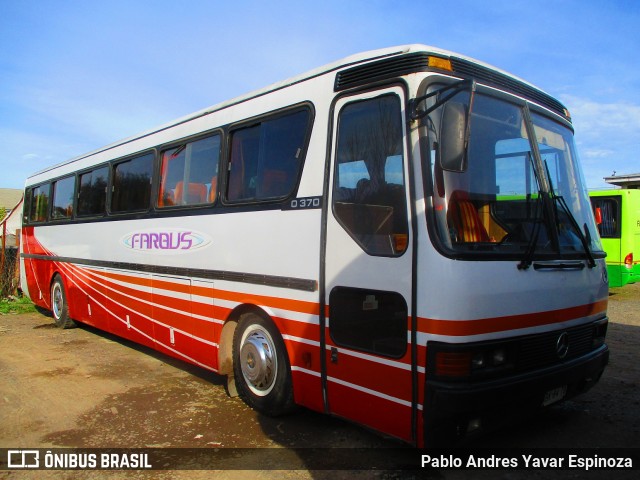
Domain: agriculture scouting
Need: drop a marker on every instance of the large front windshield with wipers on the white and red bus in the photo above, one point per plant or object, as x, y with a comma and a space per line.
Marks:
517, 188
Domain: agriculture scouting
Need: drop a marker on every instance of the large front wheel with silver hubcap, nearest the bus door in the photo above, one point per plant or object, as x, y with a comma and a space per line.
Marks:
261, 366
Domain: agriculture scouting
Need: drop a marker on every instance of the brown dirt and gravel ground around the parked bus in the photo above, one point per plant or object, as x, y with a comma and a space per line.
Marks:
85, 388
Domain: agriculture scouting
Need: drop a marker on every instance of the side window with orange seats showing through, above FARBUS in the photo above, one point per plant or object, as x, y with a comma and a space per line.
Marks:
189, 173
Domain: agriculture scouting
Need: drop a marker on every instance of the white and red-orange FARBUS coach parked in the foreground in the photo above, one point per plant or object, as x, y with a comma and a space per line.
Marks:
402, 238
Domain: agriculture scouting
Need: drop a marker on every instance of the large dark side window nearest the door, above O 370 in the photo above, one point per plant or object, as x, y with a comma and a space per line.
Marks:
266, 159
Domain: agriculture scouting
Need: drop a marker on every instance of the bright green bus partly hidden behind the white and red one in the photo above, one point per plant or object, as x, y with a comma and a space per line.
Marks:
617, 215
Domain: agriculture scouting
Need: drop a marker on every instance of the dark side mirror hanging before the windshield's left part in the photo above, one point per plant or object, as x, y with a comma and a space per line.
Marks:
453, 136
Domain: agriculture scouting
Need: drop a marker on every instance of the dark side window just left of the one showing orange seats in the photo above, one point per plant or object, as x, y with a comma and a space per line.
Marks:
132, 184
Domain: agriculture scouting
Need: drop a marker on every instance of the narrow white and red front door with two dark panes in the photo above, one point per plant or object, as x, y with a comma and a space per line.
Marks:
368, 263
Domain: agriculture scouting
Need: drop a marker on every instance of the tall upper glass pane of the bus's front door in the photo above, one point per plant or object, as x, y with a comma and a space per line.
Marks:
369, 197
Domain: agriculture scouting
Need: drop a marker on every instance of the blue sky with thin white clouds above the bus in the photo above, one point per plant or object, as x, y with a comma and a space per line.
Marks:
77, 75
